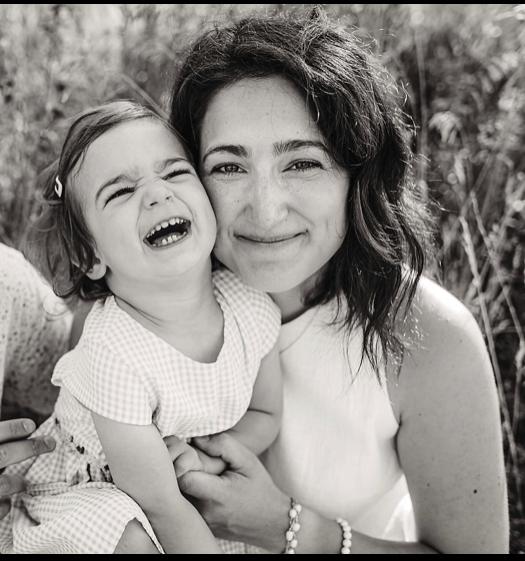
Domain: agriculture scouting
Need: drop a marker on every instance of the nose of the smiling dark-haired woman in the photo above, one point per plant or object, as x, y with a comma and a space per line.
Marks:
268, 201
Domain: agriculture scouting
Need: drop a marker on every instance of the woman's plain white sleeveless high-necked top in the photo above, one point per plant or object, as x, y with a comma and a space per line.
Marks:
336, 449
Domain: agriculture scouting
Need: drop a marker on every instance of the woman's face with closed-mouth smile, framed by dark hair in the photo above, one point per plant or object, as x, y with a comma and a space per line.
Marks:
278, 196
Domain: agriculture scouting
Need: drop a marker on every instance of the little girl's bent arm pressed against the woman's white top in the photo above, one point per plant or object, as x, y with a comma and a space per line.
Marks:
259, 426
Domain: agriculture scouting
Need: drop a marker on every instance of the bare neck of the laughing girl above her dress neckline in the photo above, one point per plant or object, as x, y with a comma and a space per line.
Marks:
183, 312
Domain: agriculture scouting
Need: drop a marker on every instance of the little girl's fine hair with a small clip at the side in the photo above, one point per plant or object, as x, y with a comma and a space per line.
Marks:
60, 242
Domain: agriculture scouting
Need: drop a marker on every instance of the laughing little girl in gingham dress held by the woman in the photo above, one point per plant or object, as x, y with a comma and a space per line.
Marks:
167, 349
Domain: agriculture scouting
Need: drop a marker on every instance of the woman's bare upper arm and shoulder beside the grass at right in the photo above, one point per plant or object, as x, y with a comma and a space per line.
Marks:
449, 440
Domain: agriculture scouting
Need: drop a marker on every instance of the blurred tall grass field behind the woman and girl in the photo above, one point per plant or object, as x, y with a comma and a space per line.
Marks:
463, 72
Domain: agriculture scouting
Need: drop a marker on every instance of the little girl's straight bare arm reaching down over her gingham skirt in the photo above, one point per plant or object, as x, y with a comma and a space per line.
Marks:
141, 467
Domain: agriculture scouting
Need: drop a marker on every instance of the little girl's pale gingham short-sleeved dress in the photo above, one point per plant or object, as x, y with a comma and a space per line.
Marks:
124, 372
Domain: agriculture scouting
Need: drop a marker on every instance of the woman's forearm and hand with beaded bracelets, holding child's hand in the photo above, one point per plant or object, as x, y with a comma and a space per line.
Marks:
243, 503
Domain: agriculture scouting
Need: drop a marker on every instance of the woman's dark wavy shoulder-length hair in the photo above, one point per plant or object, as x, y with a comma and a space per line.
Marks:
374, 275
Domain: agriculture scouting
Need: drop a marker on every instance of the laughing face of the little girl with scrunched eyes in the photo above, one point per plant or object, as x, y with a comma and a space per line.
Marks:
144, 206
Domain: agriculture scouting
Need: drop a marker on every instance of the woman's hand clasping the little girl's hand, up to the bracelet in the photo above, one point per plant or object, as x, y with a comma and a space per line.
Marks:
243, 503
